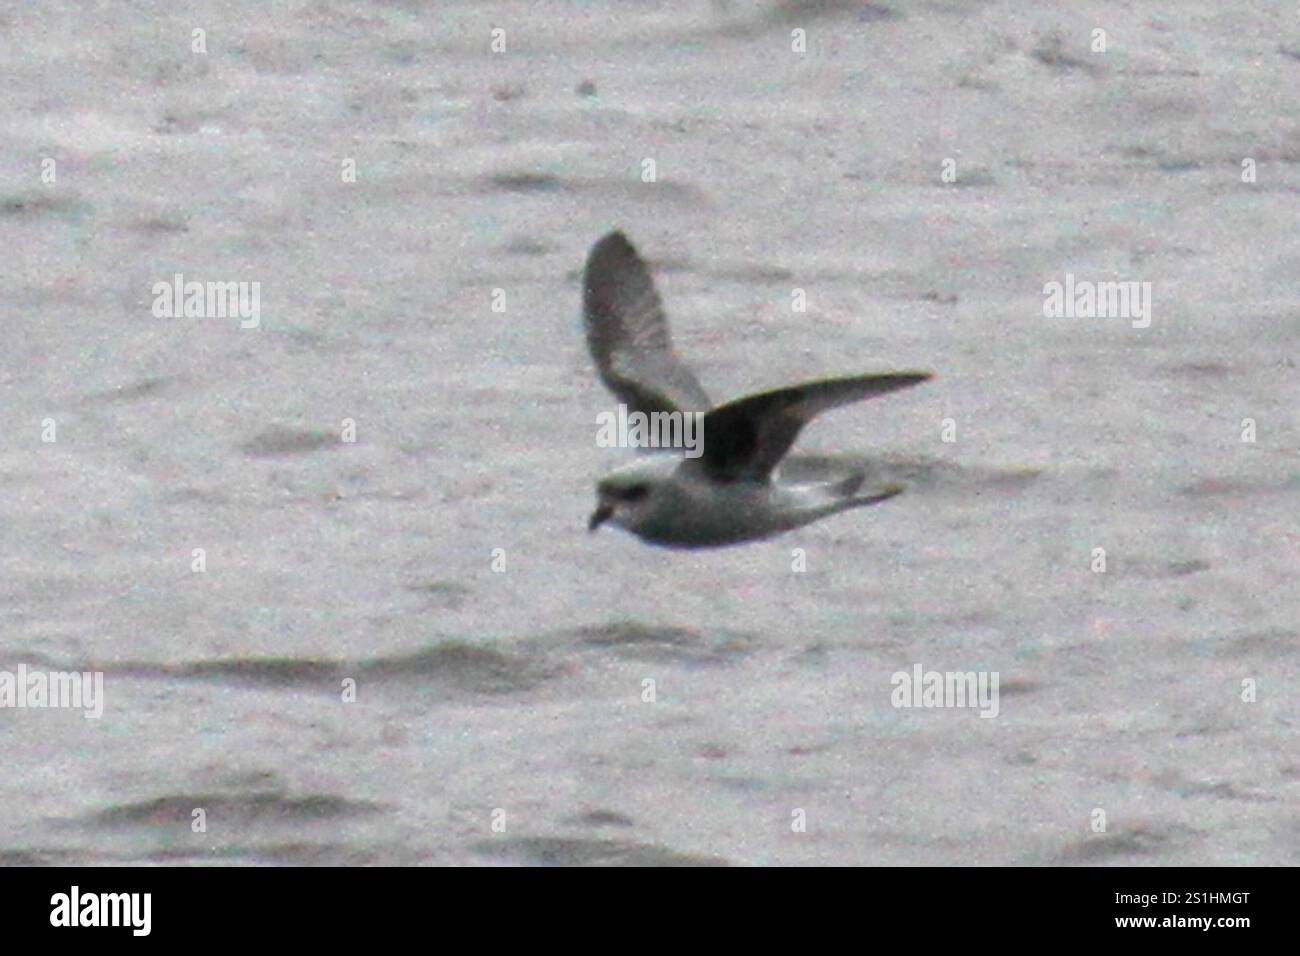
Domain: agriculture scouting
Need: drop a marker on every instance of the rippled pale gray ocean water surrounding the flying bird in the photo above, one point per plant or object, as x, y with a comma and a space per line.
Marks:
440, 563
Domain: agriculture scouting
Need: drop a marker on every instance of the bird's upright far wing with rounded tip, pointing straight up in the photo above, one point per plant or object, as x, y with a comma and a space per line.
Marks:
629, 335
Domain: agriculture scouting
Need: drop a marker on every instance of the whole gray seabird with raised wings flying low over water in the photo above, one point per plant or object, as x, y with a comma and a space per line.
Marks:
727, 495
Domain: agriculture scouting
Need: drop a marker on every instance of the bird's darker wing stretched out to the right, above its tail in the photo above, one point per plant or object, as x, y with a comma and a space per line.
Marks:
744, 440
